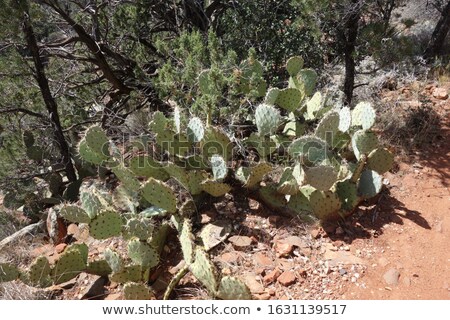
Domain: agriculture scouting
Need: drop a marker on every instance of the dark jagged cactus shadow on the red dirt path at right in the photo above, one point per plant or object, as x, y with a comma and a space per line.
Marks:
371, 219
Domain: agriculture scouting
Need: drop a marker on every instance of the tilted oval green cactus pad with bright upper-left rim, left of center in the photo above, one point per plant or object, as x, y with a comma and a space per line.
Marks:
159, 194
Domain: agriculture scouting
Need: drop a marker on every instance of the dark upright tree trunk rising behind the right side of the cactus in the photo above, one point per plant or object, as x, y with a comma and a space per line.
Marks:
351, 34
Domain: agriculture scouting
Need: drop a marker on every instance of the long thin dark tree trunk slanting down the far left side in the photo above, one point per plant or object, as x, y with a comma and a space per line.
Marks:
49, 101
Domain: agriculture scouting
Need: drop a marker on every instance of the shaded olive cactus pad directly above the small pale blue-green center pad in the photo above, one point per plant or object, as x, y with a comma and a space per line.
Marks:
216, 141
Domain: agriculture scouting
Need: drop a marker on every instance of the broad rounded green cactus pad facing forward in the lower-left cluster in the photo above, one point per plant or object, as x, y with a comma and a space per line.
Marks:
107, 224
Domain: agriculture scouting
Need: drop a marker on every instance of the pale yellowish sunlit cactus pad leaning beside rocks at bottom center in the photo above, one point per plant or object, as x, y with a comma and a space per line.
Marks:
204, 270
